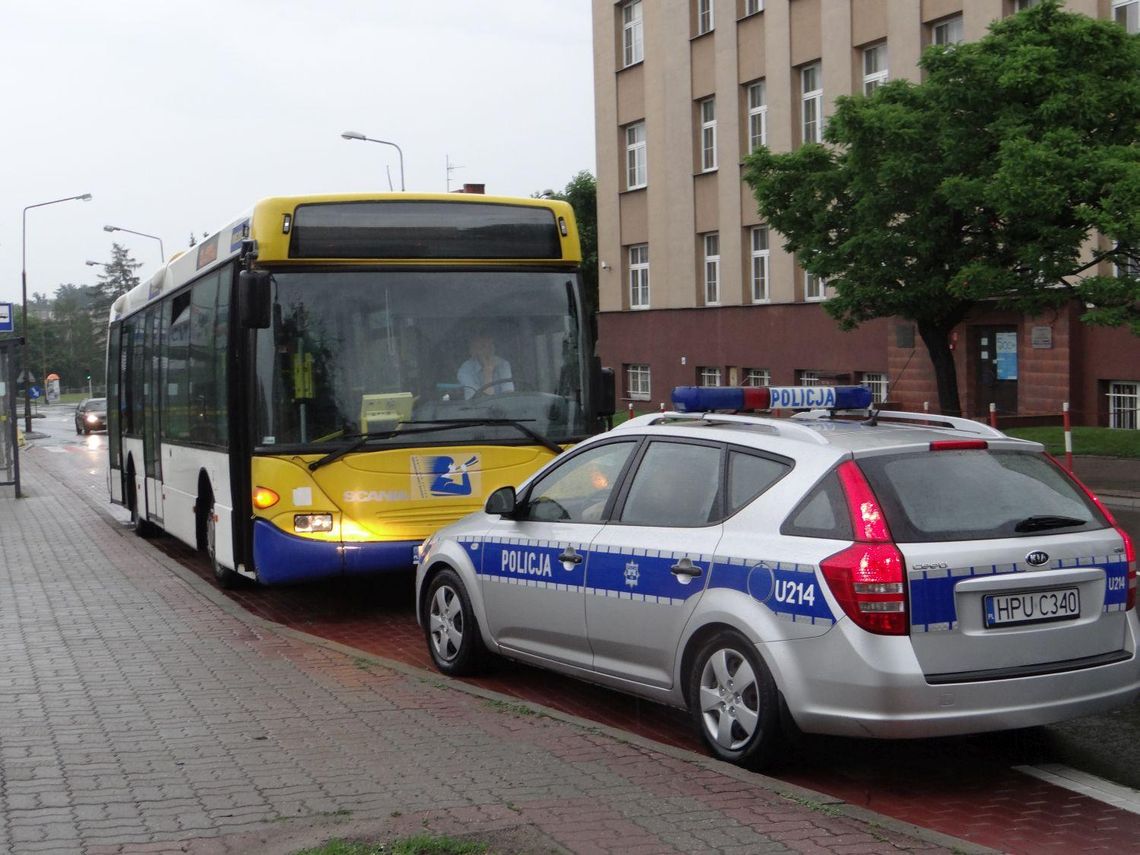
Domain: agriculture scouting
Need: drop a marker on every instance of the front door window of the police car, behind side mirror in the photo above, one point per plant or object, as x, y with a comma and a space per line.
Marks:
580, 490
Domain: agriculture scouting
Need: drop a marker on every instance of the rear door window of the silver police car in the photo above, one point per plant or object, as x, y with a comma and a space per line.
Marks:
677, 484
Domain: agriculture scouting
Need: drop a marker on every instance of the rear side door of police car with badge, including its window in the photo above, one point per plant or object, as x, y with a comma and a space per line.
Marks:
650, 565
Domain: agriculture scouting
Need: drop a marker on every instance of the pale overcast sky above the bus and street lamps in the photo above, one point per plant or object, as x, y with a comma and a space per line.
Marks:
177, 117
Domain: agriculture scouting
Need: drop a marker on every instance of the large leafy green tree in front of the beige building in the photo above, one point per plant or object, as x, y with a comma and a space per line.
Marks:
1008, 176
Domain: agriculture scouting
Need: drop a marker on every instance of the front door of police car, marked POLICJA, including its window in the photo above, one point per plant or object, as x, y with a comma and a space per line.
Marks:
534, 568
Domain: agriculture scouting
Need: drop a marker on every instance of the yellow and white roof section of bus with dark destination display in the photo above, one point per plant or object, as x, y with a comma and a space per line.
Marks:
388, 229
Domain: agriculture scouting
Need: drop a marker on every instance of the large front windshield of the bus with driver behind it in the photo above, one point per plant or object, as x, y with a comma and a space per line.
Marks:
373, 353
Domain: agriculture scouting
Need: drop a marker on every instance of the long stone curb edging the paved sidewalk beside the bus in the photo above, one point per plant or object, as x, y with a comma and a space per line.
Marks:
801, 796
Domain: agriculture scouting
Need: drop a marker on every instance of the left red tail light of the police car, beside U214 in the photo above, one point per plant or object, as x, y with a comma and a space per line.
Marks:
868, 579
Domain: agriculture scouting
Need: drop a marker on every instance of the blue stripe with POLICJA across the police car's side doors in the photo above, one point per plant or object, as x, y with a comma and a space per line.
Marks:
637, 575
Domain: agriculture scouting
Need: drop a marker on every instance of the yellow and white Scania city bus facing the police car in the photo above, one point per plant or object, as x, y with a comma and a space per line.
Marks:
312, 392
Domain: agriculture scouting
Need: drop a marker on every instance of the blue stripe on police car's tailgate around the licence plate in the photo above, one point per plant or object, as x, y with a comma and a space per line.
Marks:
933, 591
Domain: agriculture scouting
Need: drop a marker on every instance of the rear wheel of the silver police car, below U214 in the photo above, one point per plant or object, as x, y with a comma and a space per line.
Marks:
734, 701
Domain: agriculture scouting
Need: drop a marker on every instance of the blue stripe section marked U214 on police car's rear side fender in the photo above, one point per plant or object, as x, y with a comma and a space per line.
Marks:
788, 590
